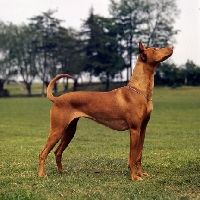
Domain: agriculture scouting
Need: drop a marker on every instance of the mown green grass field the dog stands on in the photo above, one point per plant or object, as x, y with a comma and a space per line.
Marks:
96, 159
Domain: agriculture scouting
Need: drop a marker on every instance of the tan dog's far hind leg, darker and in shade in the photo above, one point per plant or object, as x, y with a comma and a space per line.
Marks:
65, 140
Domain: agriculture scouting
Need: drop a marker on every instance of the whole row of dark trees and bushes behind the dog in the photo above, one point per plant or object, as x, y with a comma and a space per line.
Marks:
104, 47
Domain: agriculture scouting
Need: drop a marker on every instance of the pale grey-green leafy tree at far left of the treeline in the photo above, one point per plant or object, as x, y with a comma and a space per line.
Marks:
18, 57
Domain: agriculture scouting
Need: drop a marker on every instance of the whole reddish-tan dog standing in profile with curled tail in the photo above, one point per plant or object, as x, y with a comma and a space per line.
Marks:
121, 109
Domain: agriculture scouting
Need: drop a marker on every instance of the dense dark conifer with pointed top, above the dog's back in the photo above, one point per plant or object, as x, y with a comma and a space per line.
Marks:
102, 48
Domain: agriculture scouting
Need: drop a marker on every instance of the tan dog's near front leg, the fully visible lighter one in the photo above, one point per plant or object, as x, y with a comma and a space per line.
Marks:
134, 142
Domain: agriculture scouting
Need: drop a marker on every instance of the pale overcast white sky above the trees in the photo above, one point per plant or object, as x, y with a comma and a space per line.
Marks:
73, 12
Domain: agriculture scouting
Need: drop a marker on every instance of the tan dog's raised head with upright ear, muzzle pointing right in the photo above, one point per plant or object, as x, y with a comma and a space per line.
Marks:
154, 55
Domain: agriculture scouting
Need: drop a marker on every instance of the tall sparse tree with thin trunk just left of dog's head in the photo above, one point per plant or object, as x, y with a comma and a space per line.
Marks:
129, 16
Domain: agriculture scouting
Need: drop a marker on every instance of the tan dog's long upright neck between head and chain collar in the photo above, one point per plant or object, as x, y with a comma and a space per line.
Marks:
142, 78
